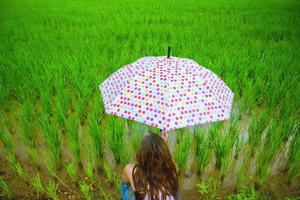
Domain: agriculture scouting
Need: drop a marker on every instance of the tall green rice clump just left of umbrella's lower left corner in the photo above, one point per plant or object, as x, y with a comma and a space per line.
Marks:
96, 134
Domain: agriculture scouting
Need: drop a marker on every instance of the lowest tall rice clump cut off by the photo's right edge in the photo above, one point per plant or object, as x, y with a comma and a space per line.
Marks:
294, 158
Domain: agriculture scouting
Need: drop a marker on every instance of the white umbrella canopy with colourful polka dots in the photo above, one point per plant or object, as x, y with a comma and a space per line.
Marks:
167, 93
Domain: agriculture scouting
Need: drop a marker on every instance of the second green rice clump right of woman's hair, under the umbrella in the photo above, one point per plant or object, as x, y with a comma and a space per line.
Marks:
203, 150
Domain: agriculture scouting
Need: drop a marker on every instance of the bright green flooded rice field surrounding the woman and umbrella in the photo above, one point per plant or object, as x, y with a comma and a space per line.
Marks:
56, 142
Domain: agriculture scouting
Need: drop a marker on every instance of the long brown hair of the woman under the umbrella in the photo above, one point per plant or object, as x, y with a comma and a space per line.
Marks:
155, 172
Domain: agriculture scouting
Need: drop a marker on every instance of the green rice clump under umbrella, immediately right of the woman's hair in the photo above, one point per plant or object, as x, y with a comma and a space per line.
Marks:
182, 149
